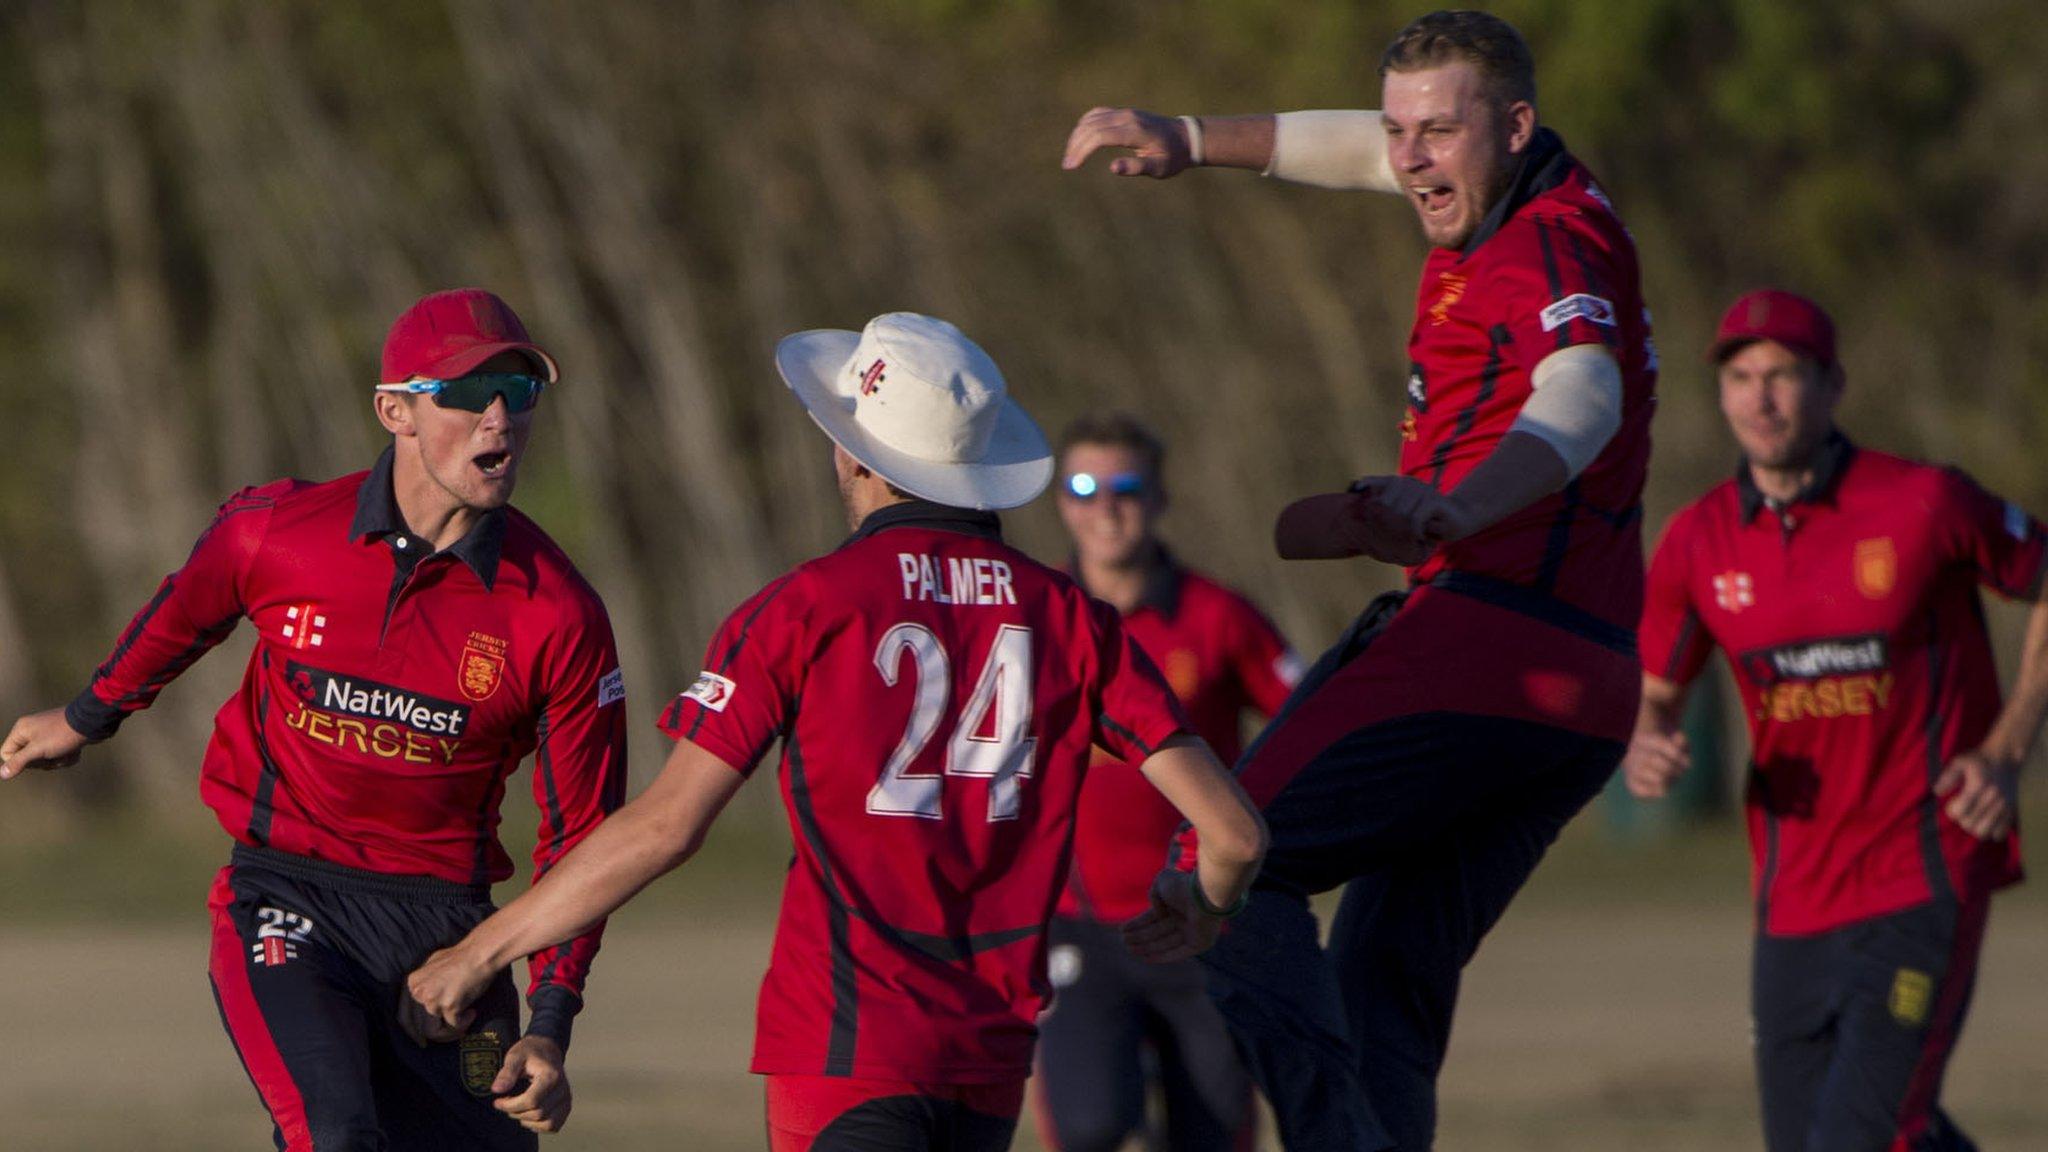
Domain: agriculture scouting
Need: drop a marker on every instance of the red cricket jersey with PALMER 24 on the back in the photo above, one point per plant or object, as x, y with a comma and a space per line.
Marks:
937, 696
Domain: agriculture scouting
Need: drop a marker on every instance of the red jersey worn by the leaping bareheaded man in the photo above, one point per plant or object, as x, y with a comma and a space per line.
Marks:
1551, 268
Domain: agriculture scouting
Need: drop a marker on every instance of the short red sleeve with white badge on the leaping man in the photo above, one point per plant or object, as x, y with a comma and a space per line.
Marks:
1560, 292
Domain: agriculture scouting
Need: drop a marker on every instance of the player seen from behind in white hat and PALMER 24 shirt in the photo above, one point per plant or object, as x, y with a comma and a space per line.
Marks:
937, 696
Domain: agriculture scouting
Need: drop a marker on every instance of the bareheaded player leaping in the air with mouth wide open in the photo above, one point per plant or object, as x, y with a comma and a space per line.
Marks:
1435, 753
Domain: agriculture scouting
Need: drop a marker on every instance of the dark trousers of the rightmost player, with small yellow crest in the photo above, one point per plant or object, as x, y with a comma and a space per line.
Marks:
1854, 1030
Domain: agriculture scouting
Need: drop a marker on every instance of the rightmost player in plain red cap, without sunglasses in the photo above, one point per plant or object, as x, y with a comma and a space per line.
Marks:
1842, 583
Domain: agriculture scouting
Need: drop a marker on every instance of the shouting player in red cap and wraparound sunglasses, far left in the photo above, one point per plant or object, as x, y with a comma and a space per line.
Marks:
417, 639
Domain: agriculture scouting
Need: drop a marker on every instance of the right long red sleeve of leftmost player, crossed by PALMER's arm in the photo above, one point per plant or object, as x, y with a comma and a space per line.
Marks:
579, 780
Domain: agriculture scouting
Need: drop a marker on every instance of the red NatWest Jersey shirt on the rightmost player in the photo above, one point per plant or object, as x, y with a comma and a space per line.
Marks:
1859, 641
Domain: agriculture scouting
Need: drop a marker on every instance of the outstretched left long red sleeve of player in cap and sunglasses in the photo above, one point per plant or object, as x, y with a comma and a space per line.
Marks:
194, 610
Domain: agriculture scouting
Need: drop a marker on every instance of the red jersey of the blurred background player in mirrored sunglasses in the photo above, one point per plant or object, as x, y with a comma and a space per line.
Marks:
1222, 657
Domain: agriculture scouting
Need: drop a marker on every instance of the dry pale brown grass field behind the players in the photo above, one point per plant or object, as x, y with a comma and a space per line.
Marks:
1605, 1014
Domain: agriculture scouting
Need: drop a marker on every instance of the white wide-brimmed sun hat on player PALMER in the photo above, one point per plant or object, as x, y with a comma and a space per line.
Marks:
923, 407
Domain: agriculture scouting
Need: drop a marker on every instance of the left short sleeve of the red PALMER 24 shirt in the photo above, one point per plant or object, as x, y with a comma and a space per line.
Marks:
746, 696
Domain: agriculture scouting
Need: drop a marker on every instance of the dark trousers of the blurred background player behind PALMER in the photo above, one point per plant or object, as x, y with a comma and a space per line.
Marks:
1113, 1010
